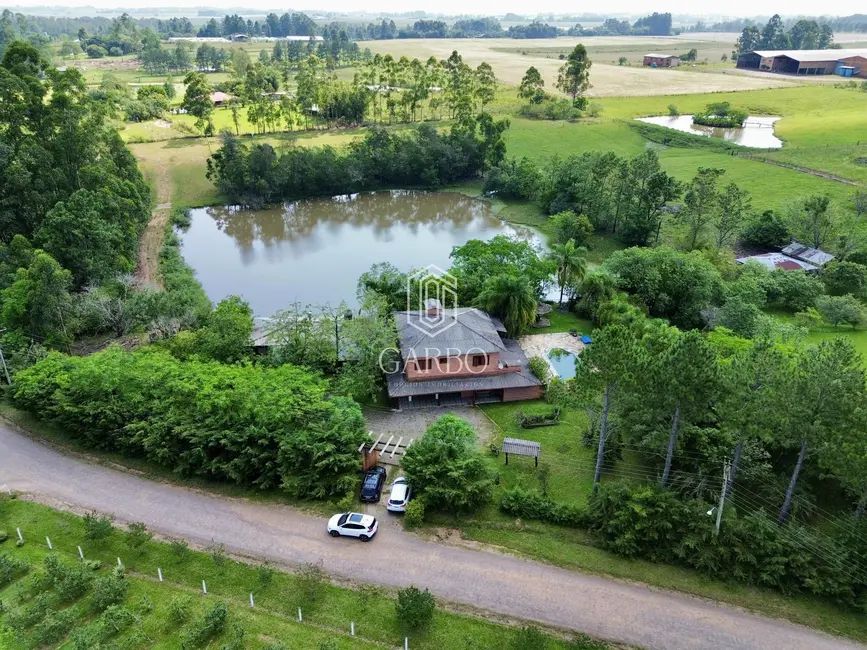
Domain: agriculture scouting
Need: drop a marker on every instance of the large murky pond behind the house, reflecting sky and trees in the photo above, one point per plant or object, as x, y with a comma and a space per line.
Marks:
314, 251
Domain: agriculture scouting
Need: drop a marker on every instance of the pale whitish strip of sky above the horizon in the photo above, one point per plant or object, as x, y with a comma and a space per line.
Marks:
733, 8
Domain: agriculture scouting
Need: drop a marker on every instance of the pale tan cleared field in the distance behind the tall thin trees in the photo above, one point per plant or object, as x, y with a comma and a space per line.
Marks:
506, 57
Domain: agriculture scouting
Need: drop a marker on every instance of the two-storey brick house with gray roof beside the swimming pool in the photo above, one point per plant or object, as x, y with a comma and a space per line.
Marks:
457, 356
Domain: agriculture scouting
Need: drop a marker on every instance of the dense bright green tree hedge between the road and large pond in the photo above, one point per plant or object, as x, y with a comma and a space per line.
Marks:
202, 418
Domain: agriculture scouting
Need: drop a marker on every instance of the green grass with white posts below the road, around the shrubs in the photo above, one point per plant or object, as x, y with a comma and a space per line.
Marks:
327, 608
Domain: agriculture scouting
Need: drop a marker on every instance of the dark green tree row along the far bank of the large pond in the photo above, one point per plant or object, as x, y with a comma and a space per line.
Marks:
257, 174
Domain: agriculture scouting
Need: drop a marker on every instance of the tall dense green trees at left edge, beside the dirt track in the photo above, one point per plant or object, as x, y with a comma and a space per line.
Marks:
69, 185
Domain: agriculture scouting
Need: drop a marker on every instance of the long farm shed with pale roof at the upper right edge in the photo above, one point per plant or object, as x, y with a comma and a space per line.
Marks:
849, 63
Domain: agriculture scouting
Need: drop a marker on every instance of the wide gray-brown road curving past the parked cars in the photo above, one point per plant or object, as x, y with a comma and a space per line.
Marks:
597, 606
